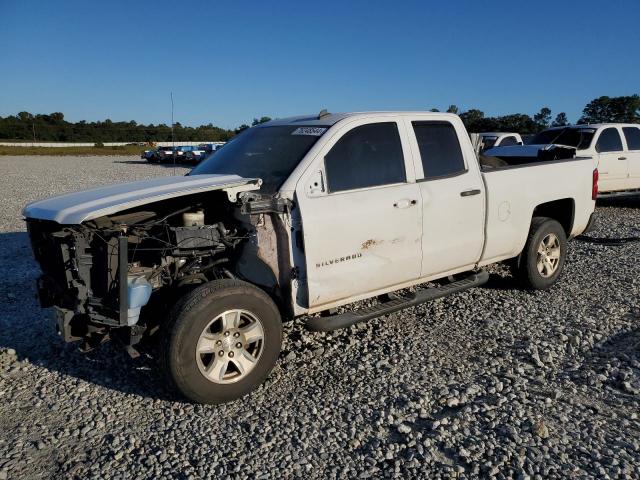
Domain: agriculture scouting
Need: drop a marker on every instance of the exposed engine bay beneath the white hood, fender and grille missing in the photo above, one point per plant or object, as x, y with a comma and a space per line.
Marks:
99, 274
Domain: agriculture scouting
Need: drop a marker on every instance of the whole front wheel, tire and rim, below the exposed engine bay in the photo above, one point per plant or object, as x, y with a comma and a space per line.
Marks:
221, 341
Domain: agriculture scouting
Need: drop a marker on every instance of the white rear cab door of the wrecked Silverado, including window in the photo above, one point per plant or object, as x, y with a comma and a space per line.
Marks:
452, 195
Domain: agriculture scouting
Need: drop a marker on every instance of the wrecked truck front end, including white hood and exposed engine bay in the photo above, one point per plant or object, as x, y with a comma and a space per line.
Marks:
107, 253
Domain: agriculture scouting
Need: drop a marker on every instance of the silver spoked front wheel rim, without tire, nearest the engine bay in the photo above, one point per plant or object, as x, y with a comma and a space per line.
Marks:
230, 346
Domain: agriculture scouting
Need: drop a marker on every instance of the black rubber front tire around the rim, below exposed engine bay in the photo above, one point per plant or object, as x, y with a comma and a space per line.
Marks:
190, 317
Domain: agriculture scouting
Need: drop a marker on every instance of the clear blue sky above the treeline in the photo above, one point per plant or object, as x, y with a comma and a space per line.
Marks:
227, 62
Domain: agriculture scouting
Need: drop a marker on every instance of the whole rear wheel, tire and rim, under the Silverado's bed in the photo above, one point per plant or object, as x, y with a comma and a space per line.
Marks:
541, 262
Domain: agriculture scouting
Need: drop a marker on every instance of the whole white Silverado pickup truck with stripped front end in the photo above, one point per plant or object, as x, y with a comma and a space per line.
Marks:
292, 218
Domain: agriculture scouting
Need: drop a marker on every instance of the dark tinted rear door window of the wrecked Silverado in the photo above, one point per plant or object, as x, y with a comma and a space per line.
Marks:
439, 149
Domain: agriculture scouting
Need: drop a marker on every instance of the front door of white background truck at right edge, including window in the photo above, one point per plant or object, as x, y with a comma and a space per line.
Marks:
613, 164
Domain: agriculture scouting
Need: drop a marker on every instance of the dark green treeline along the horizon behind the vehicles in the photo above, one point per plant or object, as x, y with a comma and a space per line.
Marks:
54, 128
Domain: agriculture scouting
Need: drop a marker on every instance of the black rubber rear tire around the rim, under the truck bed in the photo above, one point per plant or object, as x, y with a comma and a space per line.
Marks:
525, 266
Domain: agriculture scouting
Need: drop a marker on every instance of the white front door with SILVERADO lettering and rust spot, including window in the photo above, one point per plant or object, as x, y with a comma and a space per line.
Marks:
361, 213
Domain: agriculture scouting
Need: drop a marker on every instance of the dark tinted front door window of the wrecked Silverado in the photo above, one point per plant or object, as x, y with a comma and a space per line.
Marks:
367, 156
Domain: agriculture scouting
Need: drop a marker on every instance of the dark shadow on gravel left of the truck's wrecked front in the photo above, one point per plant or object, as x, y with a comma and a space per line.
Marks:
30, 331
